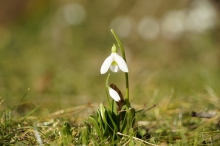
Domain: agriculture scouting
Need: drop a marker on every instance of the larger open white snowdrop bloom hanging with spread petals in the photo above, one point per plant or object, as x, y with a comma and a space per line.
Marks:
114, 62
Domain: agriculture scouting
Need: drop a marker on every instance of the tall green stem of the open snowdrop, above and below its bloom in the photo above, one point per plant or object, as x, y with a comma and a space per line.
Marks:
126, 74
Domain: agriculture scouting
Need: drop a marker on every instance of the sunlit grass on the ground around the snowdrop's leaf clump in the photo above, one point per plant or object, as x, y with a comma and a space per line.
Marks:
168, 124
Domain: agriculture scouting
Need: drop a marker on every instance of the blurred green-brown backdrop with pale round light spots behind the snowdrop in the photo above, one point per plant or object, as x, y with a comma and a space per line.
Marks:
53, 50
